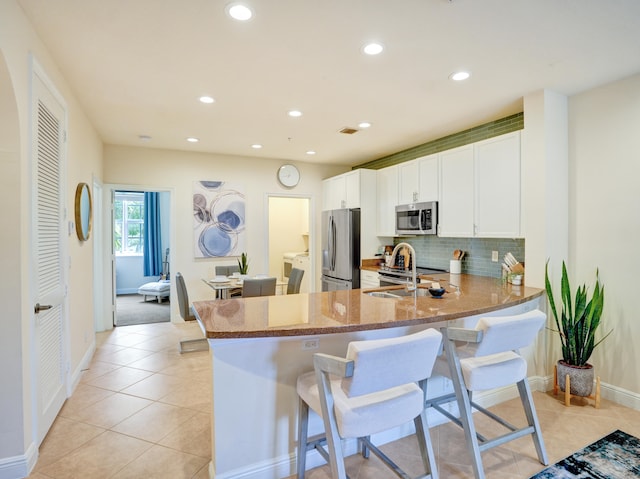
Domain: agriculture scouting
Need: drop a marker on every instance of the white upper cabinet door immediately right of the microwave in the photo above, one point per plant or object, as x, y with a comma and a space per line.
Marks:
455, 215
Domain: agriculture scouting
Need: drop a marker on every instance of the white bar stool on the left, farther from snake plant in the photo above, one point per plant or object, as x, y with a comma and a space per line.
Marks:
371, 390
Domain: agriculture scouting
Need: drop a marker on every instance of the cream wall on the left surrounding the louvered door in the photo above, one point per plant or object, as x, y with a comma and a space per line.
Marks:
18, 44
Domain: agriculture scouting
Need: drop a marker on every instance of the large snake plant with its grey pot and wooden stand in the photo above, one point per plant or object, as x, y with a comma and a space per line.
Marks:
577, 325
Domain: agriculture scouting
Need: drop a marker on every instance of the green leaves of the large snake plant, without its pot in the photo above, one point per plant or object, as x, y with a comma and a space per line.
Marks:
579, 319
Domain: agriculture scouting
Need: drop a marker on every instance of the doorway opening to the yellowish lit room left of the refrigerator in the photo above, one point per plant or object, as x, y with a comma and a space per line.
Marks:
289, 246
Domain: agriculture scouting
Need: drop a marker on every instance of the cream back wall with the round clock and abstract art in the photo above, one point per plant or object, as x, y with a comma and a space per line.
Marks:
178, 170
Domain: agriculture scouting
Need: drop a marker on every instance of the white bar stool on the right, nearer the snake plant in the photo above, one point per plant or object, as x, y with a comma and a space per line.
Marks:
485, 358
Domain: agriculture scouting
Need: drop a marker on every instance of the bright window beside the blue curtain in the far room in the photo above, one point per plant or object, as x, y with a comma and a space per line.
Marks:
128, 225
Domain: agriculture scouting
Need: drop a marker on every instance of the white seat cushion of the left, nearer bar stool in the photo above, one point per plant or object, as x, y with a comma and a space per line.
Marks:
368, 414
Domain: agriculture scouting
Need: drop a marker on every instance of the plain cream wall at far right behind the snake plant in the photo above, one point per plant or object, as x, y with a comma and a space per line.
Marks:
604, 144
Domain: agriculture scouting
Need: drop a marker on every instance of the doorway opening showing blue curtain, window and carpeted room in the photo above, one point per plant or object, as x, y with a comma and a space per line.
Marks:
141, 256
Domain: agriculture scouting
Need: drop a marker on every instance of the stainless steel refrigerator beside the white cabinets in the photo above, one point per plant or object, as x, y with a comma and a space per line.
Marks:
341, 249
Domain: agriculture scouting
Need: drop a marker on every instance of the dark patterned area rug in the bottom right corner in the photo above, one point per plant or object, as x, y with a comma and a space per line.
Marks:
616, 456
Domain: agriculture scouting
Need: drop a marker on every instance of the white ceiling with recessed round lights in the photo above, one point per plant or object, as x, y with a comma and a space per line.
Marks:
138, 68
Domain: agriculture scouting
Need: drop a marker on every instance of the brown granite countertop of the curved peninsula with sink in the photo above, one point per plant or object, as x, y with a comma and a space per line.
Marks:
352, 310
